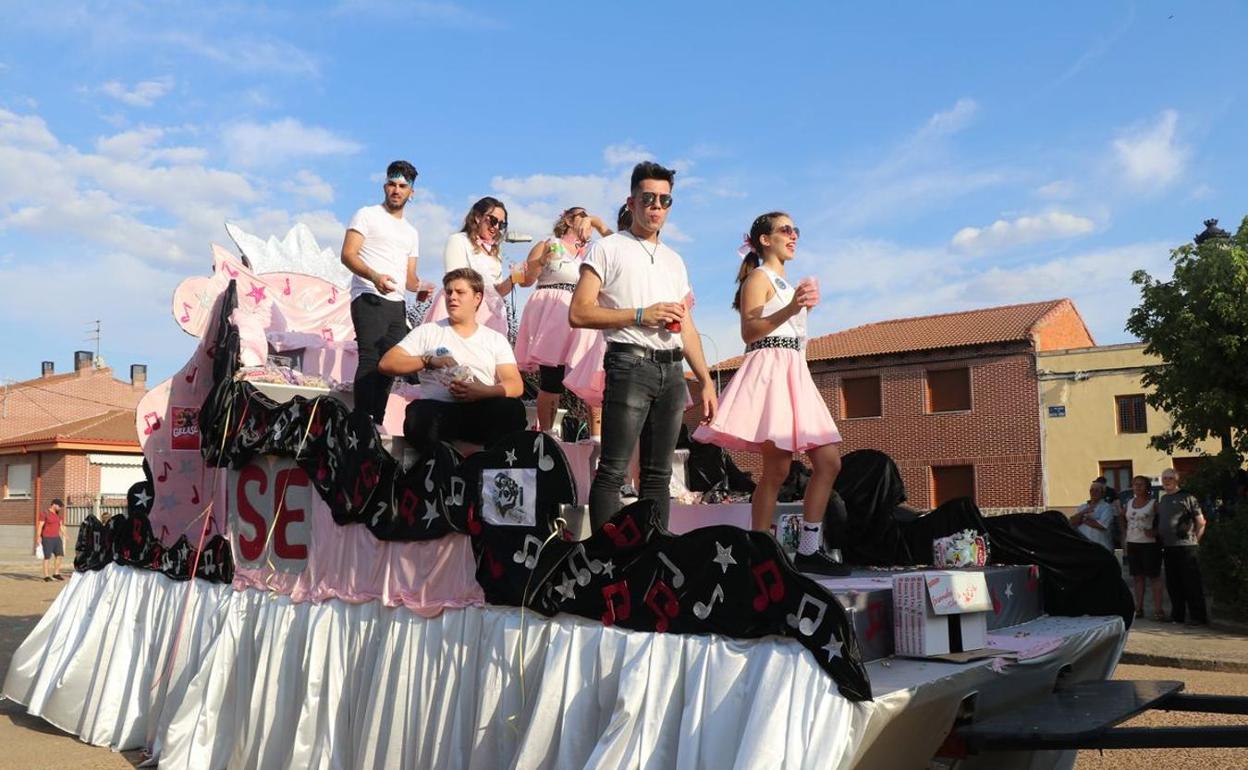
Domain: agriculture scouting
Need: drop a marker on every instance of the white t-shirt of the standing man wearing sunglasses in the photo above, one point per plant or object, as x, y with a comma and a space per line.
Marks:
638, 274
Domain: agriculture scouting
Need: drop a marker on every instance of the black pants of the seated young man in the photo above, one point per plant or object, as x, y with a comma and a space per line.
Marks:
480, 422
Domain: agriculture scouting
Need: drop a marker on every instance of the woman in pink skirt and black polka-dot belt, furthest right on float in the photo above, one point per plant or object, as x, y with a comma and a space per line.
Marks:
772, 405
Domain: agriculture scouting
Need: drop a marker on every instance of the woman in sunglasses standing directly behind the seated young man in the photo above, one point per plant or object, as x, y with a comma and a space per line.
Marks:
480, 246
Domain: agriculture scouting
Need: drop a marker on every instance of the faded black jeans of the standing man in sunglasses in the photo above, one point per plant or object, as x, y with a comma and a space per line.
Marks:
643, 401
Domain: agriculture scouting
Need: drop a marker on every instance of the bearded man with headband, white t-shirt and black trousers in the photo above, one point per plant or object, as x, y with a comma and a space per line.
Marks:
381, 250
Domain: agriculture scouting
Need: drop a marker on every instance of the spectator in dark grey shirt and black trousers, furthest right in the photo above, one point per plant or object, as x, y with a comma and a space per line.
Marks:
1181, 526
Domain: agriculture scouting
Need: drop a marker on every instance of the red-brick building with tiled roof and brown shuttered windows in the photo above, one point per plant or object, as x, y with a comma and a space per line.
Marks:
953, 399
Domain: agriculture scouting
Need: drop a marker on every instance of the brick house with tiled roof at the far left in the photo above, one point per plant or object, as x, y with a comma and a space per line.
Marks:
67, 436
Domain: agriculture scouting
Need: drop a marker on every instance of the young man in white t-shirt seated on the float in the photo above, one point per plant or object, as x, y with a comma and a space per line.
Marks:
470, 383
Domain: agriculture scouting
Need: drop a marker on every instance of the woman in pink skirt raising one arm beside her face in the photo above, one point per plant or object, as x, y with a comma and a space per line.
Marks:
546, 340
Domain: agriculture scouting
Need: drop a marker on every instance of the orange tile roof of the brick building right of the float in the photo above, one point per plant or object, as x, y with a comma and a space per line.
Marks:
984, 326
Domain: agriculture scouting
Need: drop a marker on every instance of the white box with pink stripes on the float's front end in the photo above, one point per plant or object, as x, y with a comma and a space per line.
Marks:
938, 613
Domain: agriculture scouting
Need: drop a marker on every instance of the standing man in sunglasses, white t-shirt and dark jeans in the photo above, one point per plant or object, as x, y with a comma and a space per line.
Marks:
637, 290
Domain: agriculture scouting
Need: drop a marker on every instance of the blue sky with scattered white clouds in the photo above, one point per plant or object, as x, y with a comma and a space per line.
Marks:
937, 157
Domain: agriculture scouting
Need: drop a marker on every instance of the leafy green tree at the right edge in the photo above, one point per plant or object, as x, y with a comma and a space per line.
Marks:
1197, 324
